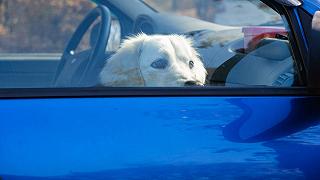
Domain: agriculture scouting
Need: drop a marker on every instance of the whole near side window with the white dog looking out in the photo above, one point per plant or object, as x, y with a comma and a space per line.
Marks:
186, 43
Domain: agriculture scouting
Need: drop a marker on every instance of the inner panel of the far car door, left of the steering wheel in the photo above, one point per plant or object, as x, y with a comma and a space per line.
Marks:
27, 70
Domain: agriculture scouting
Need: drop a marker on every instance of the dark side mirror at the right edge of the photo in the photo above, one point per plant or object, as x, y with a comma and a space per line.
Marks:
314, 61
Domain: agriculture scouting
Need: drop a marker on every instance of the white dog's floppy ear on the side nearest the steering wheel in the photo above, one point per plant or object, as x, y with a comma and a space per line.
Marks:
122, 69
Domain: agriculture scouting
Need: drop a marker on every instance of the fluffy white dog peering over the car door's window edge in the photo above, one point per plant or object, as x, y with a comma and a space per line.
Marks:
154, 61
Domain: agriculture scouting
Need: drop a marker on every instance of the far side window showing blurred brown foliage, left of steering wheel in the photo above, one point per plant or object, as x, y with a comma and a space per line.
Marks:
39, 25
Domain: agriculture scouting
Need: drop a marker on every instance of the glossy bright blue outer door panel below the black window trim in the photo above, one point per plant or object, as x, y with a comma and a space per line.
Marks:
150, 138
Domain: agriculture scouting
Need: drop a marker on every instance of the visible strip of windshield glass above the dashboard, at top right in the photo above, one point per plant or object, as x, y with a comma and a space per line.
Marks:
222, 12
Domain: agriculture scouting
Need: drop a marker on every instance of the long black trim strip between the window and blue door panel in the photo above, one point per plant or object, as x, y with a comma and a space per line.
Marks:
103, 92
